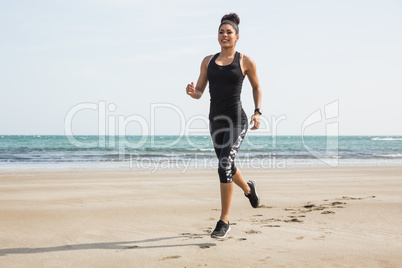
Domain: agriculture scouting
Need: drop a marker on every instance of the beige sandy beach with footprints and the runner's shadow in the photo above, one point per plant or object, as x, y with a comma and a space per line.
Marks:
309, 217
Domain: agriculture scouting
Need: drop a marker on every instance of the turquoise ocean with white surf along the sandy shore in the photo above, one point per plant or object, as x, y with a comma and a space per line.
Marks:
19, 152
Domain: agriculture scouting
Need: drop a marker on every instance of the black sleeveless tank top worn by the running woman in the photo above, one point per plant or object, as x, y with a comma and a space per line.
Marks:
225, 84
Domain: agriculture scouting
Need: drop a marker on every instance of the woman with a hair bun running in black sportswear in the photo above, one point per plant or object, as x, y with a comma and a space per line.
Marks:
225, 72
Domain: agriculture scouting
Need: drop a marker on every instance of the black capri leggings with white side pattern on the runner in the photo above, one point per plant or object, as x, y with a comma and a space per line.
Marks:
227, 139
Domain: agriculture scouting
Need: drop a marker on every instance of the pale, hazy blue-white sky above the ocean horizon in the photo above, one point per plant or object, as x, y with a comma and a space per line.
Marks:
121, 67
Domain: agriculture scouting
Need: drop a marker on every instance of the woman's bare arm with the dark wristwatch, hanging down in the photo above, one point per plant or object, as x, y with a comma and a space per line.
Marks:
250, 69
